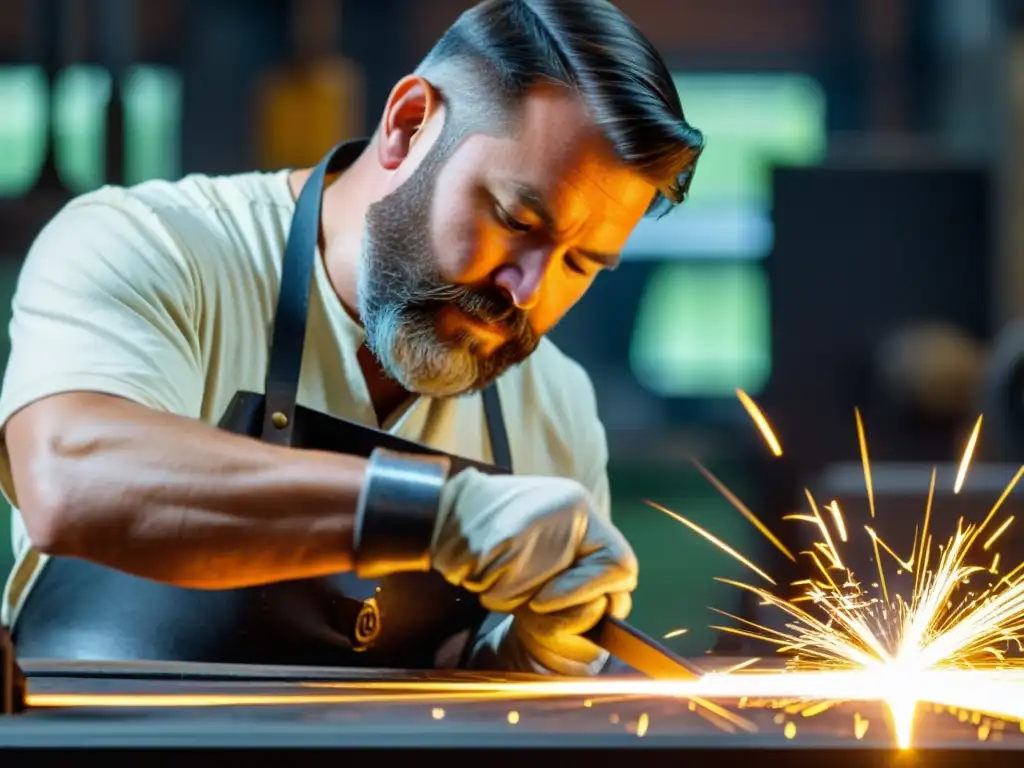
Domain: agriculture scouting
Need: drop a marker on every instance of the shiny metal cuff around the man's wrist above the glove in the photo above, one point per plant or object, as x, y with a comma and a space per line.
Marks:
397, 513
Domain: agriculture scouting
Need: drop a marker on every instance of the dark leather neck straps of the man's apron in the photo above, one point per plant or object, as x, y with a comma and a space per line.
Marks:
289, 336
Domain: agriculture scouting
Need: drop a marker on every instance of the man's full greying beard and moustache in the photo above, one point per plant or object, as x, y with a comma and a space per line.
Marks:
401, 295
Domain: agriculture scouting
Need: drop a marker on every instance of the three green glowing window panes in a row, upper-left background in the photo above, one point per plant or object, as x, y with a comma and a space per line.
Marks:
152, 99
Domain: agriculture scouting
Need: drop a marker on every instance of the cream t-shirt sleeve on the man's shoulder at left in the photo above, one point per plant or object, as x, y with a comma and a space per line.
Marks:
106, 303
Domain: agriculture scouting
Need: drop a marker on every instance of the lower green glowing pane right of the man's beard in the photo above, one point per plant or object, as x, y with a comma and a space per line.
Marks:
703, 330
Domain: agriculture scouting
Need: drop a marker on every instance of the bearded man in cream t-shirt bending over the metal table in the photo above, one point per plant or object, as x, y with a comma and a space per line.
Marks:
506, 175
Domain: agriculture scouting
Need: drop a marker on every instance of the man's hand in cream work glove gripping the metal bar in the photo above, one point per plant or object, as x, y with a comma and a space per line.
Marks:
536, 548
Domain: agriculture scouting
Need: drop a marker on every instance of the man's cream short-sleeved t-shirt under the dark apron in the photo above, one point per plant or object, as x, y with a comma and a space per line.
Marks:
164, 294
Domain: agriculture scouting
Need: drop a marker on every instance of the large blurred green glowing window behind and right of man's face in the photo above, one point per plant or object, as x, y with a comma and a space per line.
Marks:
704, 324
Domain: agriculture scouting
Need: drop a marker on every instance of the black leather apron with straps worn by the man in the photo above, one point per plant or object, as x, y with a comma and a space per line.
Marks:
79, 611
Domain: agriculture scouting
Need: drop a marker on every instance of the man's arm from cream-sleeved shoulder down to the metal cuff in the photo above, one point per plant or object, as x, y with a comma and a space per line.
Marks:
107, 460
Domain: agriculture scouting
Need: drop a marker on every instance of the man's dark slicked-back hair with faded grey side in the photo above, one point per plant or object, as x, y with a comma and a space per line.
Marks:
488, 61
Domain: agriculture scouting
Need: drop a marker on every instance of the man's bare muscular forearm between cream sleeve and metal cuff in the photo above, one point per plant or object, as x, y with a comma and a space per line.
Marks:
177, 500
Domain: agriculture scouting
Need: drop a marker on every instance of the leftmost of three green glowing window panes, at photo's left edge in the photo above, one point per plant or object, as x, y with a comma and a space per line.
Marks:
23, 129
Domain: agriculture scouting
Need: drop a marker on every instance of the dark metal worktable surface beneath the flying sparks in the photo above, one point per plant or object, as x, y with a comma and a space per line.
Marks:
150, 707
